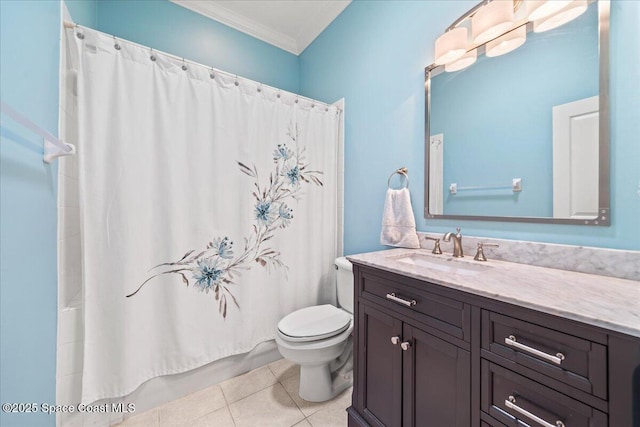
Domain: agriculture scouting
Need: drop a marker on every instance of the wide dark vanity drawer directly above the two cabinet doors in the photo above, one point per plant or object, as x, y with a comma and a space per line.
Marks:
442, 313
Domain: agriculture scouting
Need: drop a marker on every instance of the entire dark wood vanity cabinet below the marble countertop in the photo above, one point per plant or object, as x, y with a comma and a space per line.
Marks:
430, 356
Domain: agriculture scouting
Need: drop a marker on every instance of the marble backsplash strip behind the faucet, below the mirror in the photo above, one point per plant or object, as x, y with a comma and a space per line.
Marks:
605, 262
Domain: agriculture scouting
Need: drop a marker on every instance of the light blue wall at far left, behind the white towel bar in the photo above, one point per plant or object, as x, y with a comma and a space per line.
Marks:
29, 34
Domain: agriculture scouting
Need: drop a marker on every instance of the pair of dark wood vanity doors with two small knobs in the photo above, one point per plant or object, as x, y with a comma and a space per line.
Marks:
408, 375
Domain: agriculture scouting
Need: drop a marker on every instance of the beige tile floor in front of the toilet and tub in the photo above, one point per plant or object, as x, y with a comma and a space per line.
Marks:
264, 397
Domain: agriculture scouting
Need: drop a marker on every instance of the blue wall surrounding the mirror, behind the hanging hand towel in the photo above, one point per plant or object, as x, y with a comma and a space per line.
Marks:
374, 55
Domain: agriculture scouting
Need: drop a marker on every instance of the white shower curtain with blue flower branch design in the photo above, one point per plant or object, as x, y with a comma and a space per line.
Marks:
207, 211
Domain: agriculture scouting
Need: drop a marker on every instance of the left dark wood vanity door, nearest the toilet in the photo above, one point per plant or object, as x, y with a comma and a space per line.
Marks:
379, 367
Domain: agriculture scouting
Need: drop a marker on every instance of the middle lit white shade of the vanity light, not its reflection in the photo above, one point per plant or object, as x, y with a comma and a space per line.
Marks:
491, 20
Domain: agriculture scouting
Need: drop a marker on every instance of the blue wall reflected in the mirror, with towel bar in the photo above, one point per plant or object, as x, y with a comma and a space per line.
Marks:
497, 113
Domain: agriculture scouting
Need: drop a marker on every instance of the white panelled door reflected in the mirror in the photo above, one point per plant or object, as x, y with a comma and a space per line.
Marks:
575, 159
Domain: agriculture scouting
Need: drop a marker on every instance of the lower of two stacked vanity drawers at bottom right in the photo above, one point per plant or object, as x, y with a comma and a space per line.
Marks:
515, 401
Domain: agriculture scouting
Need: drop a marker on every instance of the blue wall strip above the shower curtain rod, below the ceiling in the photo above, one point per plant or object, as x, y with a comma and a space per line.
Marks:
171, 28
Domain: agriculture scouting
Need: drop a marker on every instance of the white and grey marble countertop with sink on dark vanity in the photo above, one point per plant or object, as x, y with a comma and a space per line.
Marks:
606, 302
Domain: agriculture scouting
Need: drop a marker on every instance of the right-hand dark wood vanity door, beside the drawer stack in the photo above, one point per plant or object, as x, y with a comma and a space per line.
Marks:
437, 382
